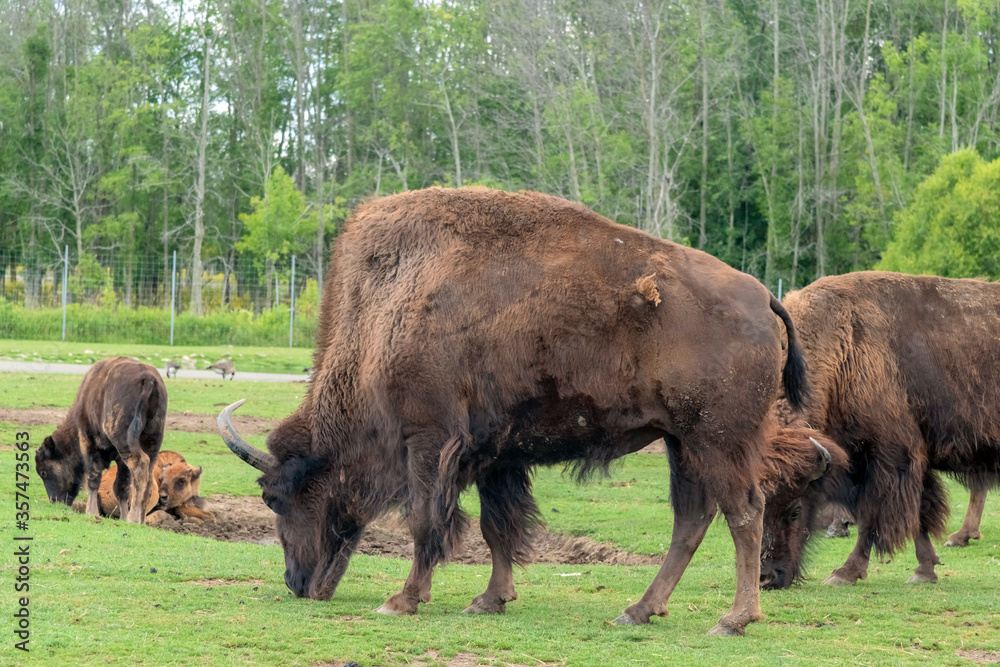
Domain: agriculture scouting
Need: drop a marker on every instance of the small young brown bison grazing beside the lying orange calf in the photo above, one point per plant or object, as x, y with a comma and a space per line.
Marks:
118, 414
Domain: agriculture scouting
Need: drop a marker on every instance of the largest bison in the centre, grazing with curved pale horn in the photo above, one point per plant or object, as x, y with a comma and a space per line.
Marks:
468, 335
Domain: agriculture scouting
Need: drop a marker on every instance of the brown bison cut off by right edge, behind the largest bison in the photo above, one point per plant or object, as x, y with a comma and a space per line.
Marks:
905, 377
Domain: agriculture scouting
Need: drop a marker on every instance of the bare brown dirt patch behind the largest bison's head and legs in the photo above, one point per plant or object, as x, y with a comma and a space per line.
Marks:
248, 519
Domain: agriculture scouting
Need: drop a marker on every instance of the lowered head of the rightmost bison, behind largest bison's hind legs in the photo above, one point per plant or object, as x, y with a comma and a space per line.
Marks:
809, 470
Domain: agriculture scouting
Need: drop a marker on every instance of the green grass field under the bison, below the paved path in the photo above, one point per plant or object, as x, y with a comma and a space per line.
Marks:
95, 599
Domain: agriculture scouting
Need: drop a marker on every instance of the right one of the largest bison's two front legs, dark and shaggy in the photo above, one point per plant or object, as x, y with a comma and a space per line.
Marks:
507, 516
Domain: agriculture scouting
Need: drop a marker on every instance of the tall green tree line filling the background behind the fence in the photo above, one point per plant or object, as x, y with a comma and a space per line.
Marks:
781, 136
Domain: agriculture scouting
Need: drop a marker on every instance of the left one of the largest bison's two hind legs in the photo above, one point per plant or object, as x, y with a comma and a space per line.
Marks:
693, 513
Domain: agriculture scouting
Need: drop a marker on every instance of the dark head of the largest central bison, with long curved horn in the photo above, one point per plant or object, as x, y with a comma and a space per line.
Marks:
318, 529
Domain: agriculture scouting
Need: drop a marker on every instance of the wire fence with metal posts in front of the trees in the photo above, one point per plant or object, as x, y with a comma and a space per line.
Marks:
242, 302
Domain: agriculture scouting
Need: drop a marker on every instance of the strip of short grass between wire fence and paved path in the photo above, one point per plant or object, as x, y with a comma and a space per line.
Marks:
247, 359
